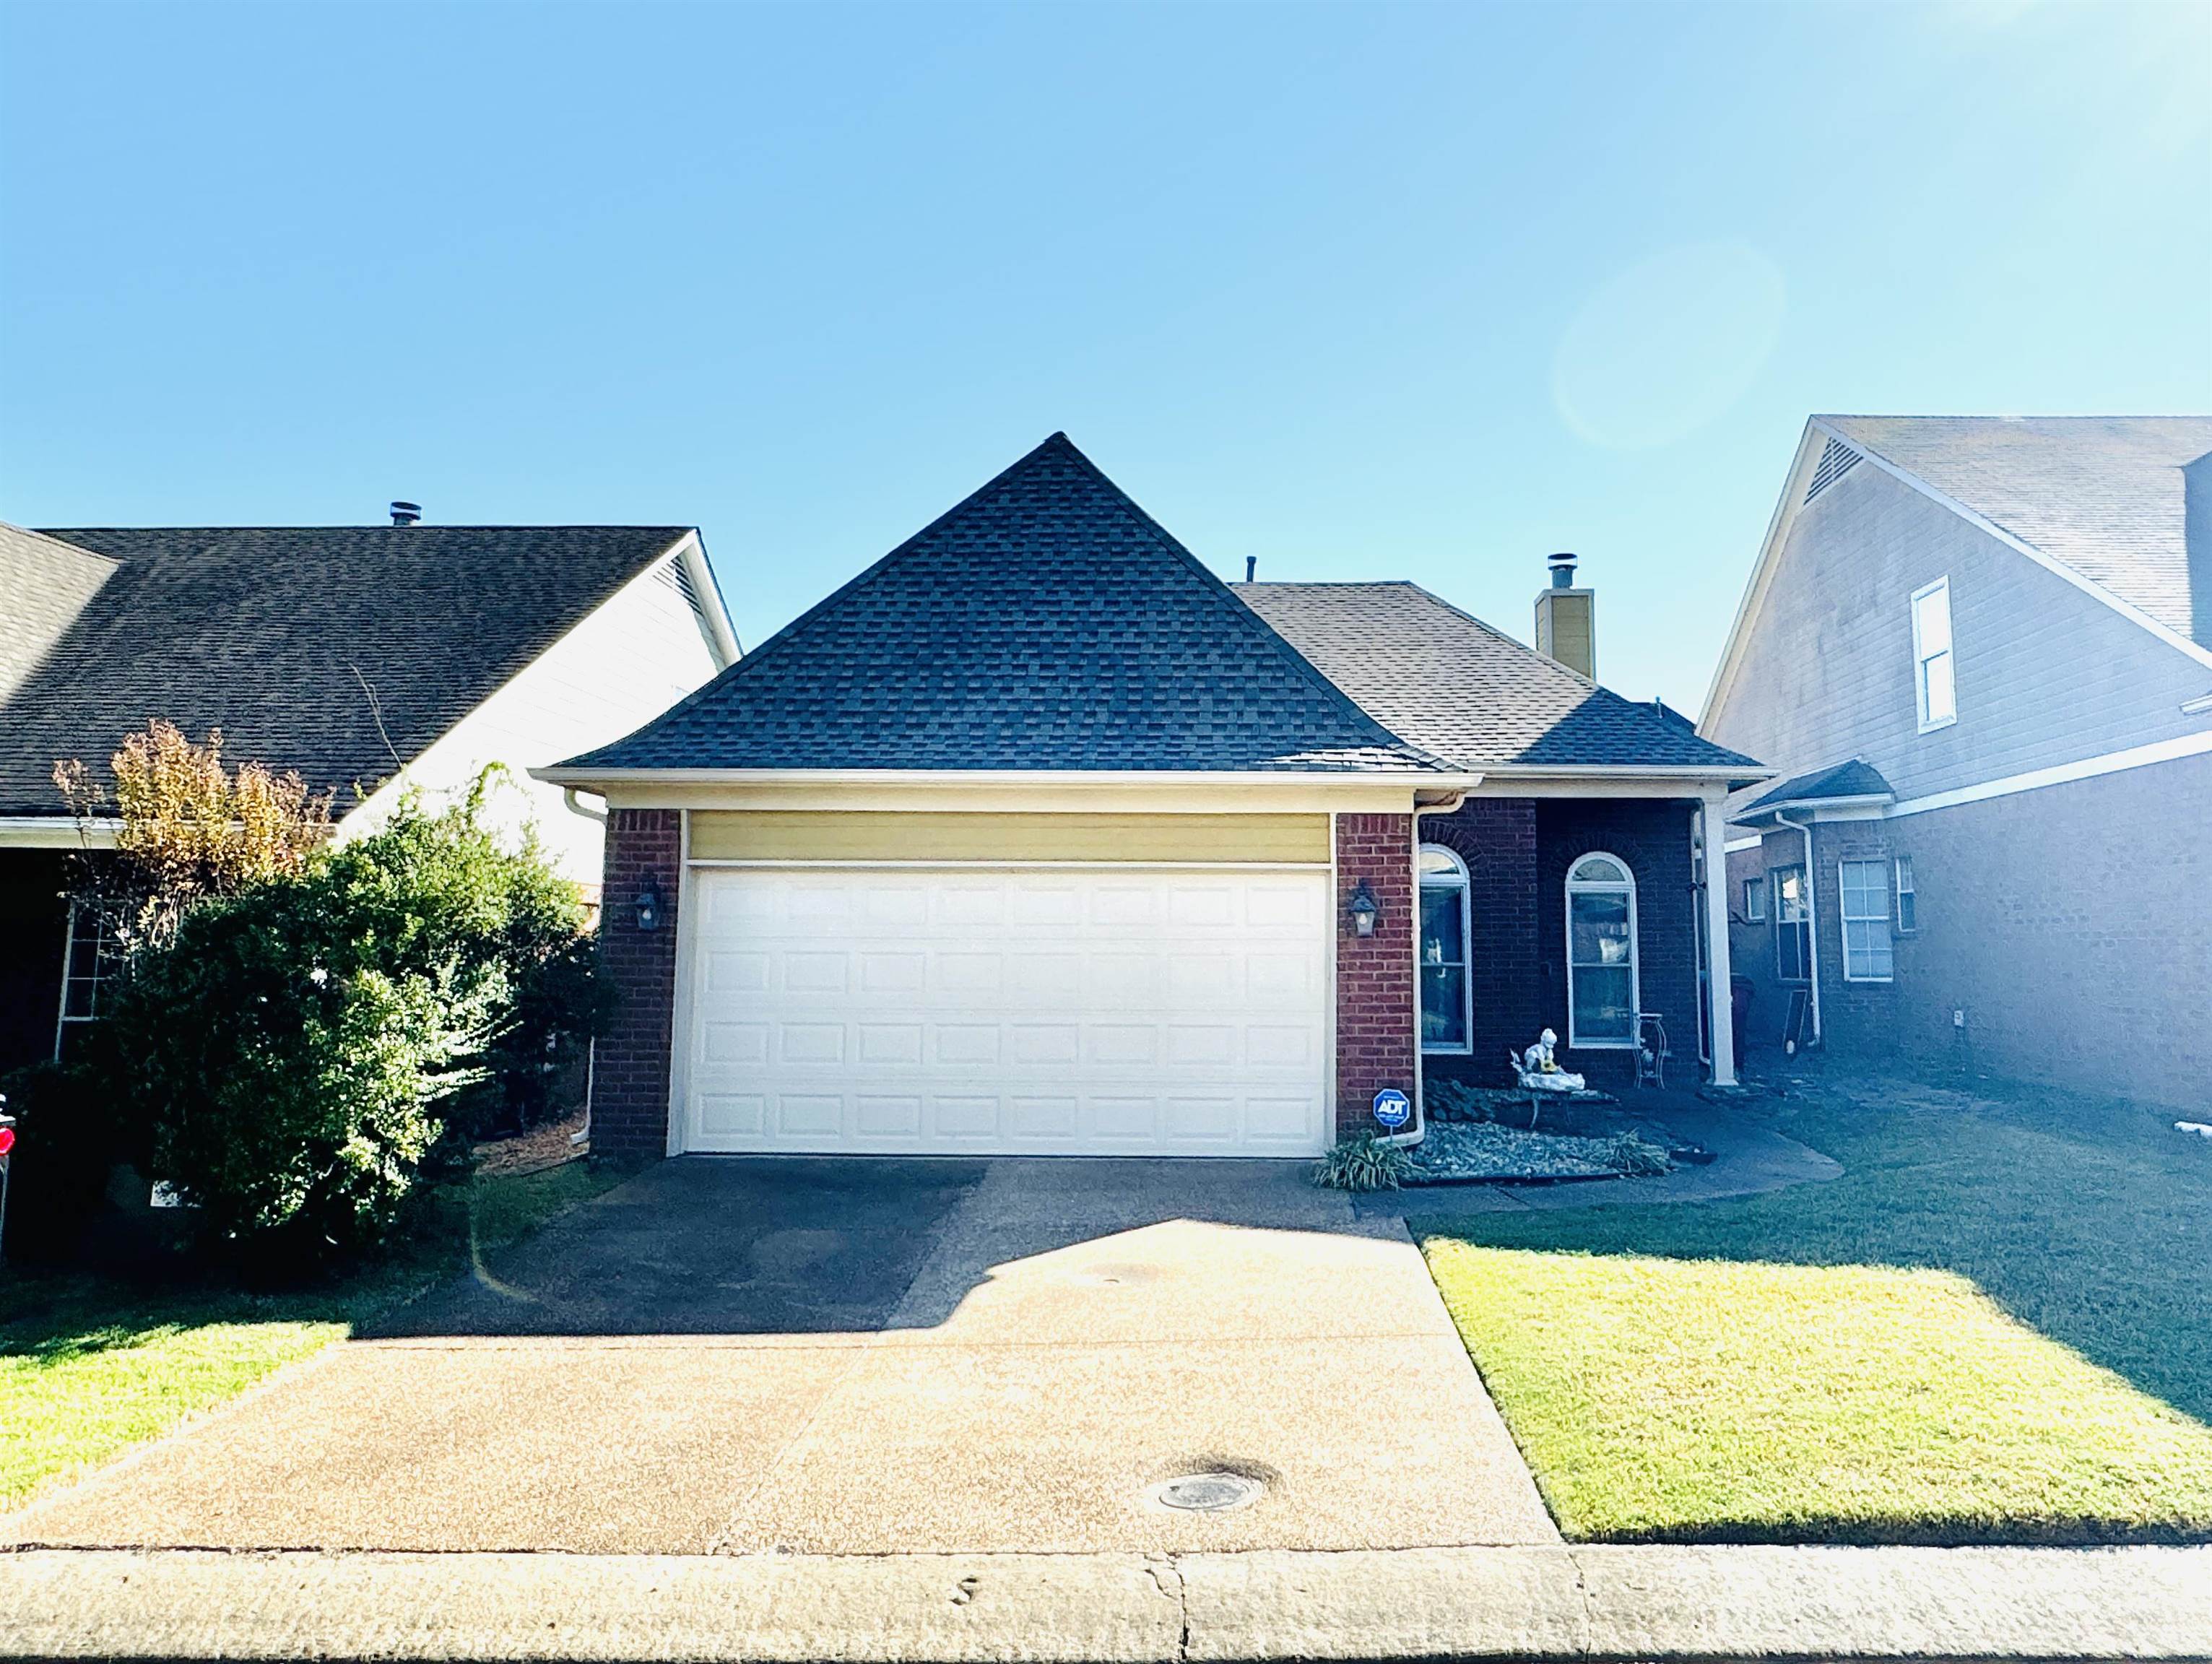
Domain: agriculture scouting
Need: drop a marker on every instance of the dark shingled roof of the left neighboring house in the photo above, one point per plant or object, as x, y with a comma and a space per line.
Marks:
271, 632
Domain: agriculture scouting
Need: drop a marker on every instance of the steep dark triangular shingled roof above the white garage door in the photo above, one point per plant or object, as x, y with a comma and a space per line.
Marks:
1043, 625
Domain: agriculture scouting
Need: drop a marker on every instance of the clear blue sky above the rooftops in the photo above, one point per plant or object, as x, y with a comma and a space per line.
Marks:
1366, 293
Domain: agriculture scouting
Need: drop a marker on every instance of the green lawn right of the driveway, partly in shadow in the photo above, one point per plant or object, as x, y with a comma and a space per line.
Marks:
1994, 1329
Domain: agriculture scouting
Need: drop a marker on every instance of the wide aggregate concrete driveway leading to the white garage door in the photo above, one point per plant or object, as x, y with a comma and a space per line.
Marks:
870, 1358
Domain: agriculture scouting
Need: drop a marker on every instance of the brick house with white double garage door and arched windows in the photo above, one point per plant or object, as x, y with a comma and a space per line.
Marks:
1036, 838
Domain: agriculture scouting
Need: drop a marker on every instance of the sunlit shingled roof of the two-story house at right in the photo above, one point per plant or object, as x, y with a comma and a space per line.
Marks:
2103, 495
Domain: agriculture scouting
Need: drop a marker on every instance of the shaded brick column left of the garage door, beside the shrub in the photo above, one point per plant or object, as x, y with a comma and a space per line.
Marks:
629, 1090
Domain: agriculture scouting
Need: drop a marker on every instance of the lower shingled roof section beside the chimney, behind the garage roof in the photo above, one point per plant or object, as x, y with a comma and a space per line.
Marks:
1465, 691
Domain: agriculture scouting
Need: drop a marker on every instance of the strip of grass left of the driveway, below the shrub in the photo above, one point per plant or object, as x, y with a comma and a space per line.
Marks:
92, 1366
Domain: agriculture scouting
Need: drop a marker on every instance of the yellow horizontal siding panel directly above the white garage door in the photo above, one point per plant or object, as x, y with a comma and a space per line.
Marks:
804, 835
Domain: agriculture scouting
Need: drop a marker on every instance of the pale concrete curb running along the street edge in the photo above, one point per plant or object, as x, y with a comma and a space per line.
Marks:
1594, 1603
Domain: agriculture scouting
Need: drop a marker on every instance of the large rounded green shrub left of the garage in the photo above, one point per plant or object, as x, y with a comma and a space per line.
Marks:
304, 1052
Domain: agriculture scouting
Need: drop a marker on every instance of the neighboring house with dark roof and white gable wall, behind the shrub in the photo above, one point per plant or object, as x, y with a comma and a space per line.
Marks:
366, 658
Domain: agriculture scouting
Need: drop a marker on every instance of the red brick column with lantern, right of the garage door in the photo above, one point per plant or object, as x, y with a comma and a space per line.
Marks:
1377, 1008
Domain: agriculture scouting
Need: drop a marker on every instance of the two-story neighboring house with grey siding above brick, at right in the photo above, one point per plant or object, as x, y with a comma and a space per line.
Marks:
1981, 656
